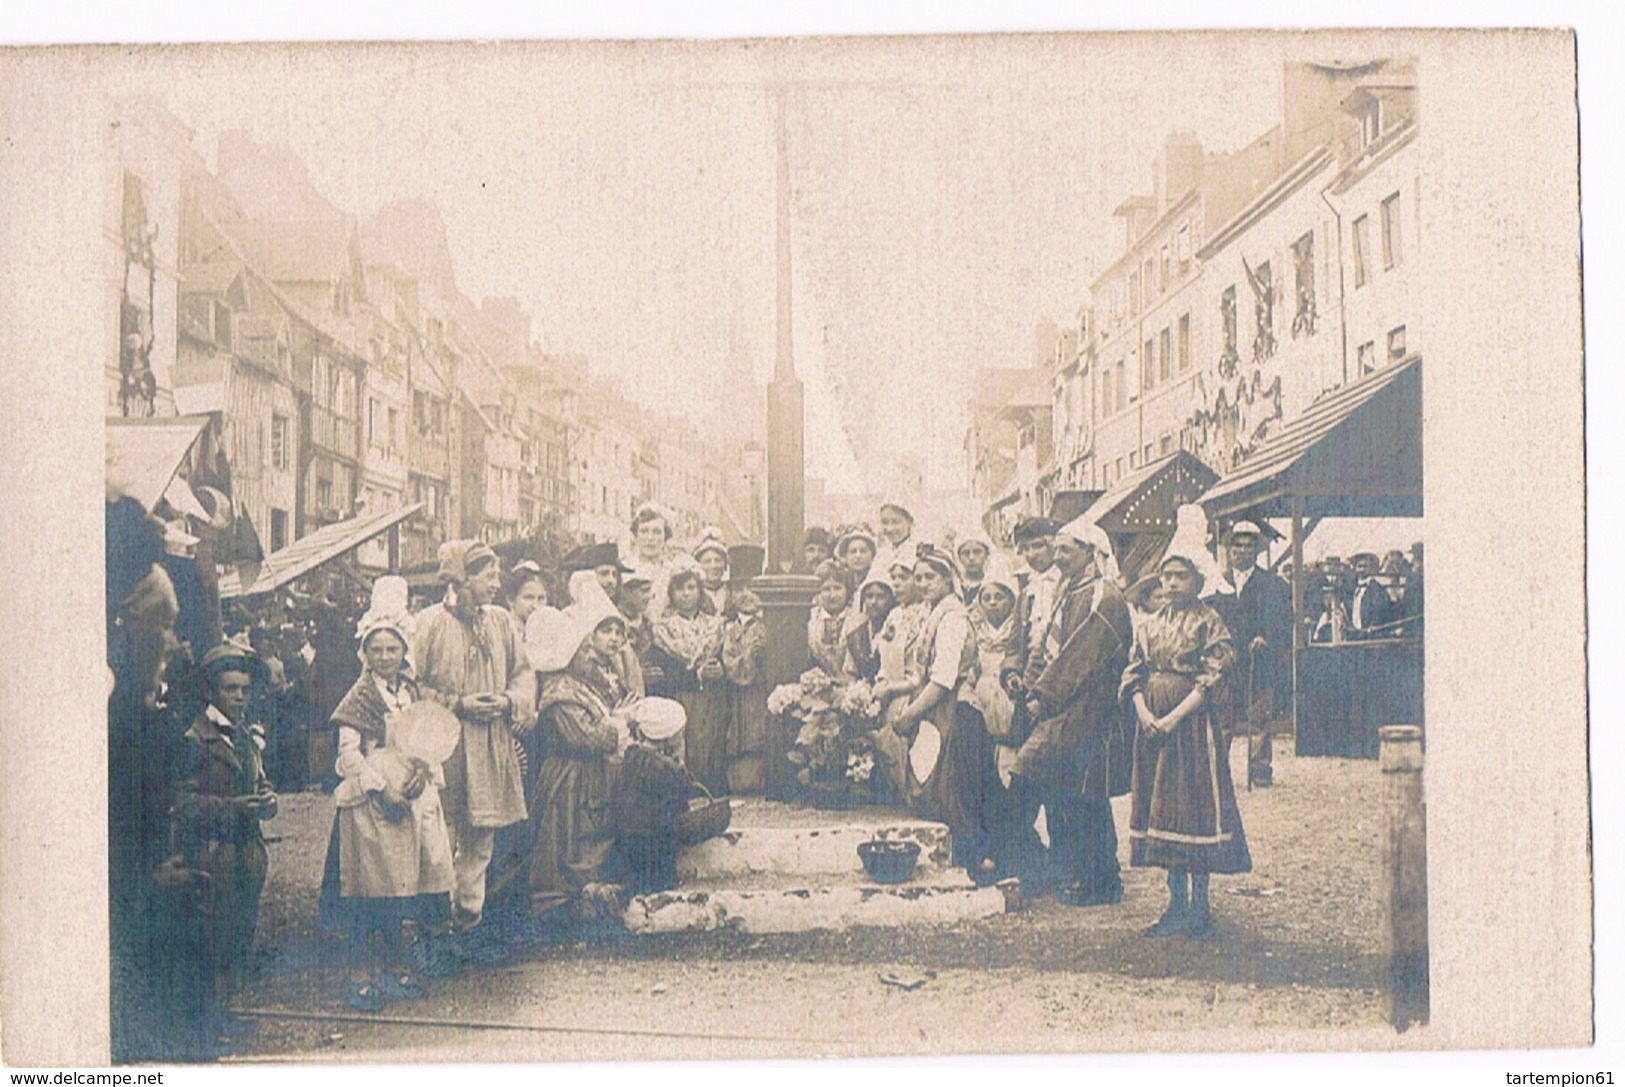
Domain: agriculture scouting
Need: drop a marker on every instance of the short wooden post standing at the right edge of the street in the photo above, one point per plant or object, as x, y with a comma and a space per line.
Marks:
1405, 877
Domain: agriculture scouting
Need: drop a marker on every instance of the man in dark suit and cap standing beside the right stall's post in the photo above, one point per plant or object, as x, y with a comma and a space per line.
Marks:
1257, 607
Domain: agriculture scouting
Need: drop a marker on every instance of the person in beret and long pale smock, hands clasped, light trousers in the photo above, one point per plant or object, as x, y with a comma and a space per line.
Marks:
470, 660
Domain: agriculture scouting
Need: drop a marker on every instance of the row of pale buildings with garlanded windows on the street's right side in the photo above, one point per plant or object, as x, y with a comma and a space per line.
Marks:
1250, 285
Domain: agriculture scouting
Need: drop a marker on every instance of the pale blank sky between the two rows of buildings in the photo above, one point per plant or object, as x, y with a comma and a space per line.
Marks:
950, 194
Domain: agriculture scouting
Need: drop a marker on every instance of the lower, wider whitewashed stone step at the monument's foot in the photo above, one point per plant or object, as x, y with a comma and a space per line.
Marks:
765, 904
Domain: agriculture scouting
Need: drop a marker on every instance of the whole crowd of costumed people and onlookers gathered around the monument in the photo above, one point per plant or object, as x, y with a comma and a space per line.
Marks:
1046, 685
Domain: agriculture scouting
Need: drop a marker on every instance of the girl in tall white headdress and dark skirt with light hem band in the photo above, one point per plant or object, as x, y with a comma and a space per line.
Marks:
1184, 813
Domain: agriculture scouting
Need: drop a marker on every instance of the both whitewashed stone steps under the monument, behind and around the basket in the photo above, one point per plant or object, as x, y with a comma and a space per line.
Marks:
782, 868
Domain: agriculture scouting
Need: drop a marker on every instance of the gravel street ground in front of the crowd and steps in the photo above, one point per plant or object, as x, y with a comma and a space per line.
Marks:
1296, 964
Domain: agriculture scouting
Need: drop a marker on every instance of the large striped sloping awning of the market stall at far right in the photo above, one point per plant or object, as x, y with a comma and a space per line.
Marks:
1354, 454
